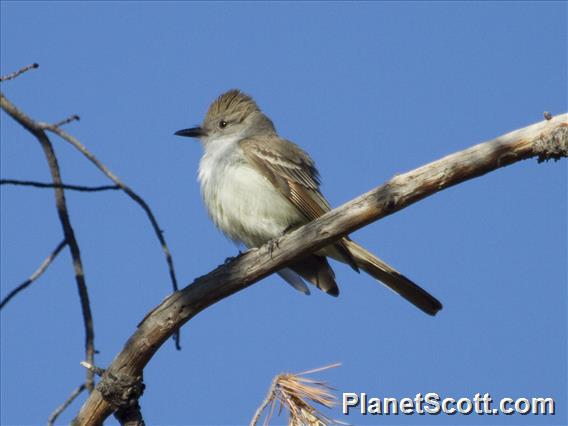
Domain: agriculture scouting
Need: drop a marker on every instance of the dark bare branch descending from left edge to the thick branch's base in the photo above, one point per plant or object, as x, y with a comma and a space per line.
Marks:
63, 213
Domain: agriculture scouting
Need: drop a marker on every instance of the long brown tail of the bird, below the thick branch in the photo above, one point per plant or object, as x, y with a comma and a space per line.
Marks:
393, 279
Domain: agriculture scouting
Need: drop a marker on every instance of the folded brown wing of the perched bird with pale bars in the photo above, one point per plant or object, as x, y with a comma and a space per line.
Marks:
294, 174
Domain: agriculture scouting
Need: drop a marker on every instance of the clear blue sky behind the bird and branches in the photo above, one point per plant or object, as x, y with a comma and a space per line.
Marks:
370, 90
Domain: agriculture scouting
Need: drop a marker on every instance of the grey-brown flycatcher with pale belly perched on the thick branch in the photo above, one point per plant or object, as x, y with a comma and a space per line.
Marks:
256, 186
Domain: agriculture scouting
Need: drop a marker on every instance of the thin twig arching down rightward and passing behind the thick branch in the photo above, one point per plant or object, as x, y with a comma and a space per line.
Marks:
130, 192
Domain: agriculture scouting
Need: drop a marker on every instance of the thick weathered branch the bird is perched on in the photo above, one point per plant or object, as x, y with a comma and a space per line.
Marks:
545, 140
